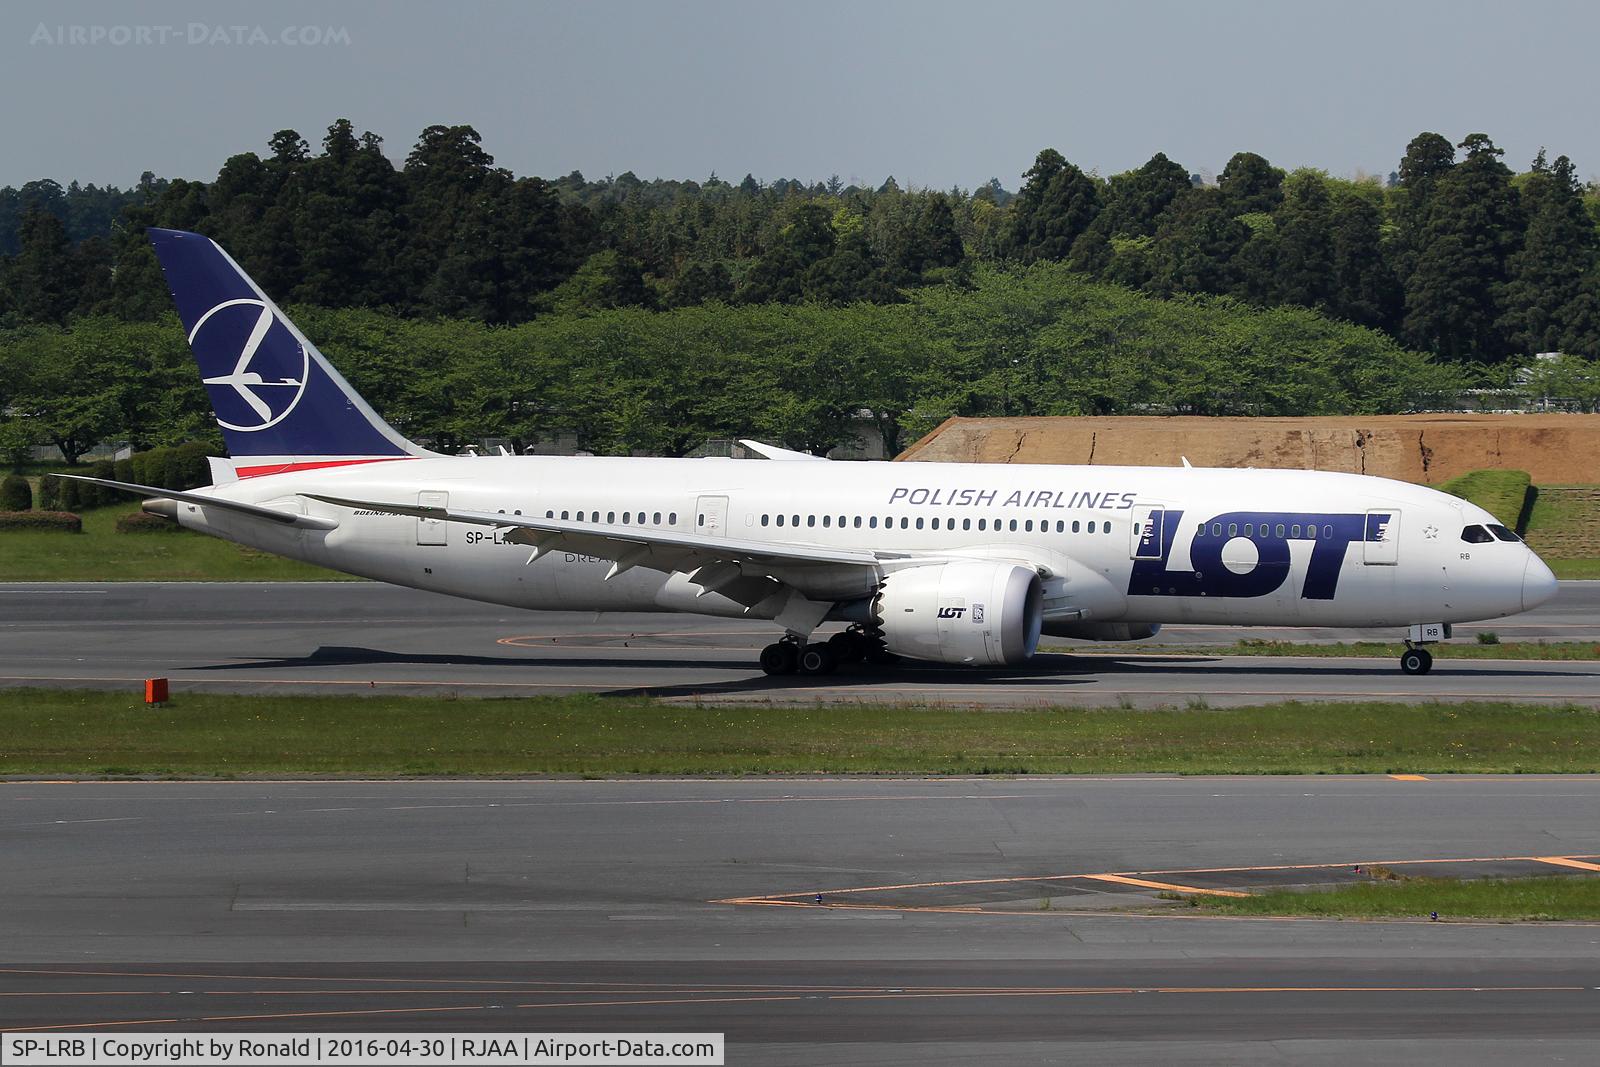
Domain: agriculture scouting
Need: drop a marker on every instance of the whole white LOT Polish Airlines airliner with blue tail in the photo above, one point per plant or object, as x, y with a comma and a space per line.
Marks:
954, 564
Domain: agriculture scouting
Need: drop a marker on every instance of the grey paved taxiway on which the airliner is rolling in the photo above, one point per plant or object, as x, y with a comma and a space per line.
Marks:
359, 637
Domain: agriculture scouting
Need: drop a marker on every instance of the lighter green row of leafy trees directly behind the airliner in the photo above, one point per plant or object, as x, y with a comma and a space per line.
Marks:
1036, 340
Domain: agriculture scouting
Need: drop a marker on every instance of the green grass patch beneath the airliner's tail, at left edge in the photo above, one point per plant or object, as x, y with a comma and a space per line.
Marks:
102, 554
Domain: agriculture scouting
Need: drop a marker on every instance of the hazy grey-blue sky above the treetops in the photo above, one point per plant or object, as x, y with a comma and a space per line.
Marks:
934, 94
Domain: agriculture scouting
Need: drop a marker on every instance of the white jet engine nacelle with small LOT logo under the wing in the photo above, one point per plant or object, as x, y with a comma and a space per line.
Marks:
980, 613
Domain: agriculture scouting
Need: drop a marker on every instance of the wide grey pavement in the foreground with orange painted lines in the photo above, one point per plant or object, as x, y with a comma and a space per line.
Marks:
578, 906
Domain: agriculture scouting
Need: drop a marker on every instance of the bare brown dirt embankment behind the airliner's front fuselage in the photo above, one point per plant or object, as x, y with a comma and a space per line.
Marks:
1426, 449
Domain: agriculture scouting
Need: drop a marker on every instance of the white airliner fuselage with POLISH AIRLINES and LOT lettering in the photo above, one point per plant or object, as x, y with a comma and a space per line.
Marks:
1247, 548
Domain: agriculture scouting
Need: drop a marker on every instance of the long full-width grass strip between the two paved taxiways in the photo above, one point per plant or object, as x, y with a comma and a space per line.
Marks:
65, 732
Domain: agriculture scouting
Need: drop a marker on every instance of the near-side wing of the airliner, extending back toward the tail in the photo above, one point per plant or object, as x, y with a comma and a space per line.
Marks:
713, 562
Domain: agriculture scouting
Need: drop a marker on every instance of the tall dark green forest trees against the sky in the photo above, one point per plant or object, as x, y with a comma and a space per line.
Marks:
1455, 255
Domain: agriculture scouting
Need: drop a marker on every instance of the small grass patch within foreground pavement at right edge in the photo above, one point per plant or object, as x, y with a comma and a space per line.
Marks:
1545, 898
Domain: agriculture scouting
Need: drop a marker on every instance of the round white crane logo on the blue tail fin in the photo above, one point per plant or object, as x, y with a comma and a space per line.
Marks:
255, 367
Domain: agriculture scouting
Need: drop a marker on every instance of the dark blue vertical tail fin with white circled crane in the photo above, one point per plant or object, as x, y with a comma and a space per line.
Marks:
281, 404
